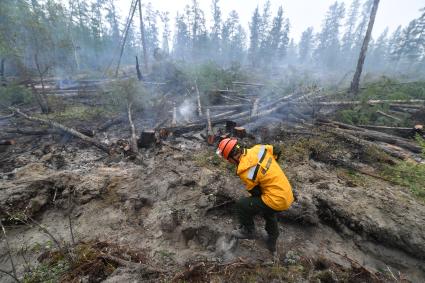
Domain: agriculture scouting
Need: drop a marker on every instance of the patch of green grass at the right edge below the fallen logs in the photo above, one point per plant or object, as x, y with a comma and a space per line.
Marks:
409, 175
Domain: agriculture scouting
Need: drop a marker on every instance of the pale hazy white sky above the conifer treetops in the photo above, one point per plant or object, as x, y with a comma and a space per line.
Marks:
301, 13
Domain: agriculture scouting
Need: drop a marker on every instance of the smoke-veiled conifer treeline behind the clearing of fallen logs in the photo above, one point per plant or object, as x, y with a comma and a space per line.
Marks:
66, 37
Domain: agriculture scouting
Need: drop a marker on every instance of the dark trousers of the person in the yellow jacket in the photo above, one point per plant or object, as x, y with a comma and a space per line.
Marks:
248, 207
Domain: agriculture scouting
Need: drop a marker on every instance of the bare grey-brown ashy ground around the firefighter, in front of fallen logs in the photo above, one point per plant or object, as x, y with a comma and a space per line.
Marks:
175, 208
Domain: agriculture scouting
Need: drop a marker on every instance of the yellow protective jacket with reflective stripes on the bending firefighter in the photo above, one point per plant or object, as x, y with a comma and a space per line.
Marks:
258, 167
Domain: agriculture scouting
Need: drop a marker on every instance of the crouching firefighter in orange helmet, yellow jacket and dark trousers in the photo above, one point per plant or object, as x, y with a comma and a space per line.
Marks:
265, 181
